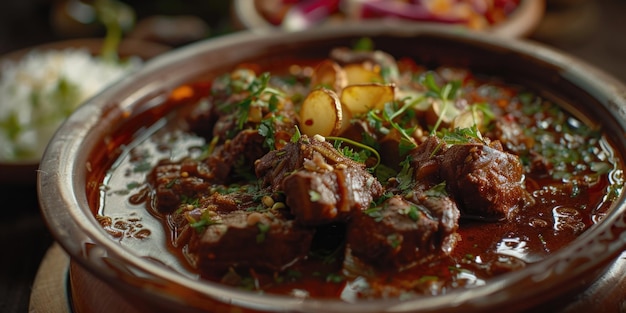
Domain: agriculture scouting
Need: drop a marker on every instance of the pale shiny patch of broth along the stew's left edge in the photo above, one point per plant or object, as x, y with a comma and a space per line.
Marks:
124, 209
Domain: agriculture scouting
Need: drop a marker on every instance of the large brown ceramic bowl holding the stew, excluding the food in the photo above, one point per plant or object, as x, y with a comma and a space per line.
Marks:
78, 156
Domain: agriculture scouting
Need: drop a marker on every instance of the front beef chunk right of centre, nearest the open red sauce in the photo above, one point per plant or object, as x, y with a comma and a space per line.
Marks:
400, 233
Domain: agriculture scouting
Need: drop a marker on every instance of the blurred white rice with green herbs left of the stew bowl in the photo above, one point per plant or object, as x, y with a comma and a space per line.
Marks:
31, 105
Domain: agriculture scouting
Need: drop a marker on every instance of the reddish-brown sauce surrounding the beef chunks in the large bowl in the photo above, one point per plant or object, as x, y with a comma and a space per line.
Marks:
572, 191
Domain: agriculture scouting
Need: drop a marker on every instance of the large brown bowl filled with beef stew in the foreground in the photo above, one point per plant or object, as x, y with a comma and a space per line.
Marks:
375, 167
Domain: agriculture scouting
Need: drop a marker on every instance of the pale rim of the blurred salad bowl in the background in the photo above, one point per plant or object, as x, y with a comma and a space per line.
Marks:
520, 23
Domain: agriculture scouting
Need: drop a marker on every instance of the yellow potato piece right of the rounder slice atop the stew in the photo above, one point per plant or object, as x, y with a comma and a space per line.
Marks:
362, 98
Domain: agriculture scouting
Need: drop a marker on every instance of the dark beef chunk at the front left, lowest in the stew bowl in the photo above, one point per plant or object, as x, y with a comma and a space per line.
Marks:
249, 239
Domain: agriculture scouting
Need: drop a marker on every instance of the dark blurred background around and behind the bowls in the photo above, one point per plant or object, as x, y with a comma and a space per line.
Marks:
592, 30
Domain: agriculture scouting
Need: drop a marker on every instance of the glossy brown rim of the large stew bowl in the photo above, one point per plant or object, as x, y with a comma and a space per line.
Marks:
61, 186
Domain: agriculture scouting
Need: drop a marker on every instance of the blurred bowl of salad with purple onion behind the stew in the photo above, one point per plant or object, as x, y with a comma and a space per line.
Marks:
513, 18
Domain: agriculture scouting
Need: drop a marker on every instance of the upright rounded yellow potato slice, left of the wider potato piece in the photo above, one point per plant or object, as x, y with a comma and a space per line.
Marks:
321, 113
